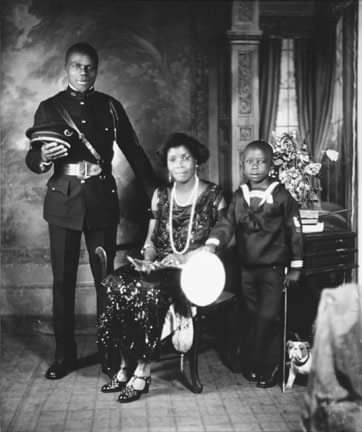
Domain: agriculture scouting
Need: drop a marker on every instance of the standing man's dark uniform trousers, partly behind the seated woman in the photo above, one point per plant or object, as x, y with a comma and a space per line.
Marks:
64, 251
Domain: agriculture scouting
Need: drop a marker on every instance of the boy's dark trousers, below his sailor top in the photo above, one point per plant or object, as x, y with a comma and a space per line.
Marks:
262, 290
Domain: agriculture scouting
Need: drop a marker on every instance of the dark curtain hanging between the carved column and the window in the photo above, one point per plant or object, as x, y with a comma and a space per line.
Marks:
269, 78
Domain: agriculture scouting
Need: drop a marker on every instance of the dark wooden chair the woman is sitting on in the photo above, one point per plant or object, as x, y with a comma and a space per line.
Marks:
225, 300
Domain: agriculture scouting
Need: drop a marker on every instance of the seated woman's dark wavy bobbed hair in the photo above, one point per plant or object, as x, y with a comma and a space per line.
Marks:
198, 151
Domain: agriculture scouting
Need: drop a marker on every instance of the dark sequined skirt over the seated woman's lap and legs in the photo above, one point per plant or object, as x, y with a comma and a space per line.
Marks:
136, 308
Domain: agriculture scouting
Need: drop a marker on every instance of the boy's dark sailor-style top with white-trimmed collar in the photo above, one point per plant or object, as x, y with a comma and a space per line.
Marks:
266, 235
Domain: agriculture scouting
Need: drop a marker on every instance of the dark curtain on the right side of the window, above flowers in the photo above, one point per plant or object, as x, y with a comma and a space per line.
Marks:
315, 74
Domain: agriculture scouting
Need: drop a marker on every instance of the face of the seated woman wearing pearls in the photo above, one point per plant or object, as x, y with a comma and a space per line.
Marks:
181, 164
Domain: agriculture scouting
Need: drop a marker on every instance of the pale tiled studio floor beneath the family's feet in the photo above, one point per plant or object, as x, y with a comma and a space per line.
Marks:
30, 403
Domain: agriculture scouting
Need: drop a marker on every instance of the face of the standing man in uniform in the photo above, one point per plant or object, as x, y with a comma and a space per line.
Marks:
81, 71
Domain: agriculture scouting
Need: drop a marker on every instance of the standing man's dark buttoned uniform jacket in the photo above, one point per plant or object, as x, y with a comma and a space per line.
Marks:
73, 203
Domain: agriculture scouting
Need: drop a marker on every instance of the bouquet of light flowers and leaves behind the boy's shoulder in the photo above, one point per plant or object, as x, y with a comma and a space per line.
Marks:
294, 168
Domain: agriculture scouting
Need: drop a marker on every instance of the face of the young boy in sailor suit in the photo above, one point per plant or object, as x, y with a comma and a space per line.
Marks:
256, 165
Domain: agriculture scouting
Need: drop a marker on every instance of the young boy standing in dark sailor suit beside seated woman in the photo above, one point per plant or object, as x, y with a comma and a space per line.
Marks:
265, 219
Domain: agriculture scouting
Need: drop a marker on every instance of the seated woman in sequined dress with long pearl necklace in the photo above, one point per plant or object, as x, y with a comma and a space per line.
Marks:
183, 217
